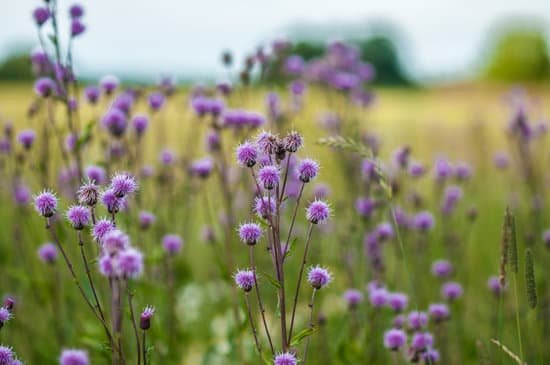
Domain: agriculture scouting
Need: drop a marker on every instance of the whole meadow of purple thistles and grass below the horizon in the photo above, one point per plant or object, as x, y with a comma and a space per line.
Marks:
170, 224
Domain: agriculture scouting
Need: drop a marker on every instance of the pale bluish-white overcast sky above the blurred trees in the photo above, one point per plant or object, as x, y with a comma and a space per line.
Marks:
180, 37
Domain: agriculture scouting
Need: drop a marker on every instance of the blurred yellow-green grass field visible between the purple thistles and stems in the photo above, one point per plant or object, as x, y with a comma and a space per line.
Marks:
465, 123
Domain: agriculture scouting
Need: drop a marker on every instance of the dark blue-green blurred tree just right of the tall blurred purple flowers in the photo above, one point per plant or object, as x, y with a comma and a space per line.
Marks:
381, 52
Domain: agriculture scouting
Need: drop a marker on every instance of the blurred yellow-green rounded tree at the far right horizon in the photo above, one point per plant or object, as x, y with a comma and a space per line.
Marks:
519, 55
